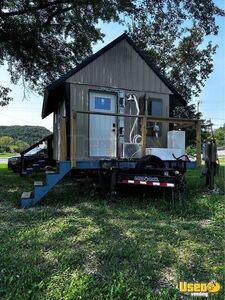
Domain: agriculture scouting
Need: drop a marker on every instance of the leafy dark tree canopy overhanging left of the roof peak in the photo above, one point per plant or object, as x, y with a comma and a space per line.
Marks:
42, 39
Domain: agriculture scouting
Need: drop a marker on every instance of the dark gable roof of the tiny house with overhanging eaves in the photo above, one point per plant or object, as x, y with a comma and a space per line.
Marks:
59, 83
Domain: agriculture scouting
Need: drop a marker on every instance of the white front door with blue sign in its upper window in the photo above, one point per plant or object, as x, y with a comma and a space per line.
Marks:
102, 129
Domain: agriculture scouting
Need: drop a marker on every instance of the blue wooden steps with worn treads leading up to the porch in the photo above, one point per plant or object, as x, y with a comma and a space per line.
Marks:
41, 188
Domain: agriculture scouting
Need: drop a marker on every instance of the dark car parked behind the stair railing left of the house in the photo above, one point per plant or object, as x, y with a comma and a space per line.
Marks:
36, 157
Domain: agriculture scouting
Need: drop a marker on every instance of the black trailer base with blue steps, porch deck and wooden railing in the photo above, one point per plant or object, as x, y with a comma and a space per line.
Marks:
148, 170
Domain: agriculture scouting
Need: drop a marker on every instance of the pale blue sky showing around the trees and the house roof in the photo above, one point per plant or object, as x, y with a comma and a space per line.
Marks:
211, 101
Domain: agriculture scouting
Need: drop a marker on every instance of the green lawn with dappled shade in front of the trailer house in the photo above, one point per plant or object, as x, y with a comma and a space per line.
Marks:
79, 245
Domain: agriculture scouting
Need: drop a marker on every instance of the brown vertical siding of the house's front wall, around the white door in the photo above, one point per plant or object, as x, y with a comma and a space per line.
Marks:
118, 69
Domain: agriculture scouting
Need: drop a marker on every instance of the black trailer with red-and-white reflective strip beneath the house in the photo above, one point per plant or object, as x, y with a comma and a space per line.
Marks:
149, 172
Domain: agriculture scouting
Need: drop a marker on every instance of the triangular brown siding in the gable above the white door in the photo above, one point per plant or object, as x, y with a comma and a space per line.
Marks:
120, 67
